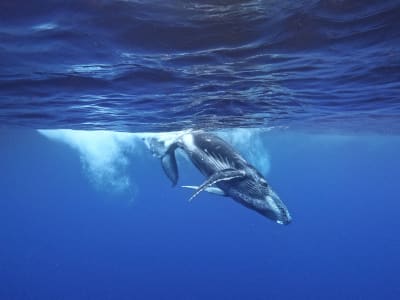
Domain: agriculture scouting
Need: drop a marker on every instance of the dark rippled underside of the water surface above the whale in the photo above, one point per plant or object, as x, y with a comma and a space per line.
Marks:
168, 65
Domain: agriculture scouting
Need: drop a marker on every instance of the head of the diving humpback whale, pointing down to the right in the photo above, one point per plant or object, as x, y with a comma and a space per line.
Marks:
255, 193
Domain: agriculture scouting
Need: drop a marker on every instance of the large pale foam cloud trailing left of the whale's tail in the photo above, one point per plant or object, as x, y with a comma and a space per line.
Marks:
106, 155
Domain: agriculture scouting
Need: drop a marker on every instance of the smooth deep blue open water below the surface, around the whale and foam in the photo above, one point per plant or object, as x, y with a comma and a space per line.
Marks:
62, 239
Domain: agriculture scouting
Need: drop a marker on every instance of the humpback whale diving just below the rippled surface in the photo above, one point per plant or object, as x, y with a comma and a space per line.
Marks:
227, 173
